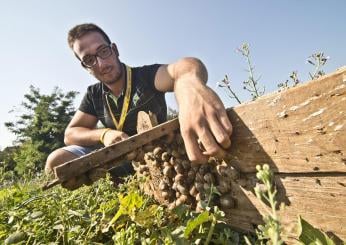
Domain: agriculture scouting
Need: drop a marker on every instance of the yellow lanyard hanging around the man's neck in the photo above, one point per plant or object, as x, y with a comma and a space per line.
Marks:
119, 125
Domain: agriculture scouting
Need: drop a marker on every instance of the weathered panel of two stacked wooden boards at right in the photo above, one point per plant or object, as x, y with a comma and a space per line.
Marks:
301, 134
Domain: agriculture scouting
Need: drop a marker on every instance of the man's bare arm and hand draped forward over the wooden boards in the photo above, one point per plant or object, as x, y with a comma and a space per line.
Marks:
202, 115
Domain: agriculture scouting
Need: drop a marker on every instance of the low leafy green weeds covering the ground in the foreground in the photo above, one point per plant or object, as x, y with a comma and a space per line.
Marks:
102, 214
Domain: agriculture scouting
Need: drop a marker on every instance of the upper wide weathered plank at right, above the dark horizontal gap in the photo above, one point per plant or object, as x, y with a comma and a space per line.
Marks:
302, 129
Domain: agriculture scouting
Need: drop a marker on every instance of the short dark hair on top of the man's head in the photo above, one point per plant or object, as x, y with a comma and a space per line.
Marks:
80, 30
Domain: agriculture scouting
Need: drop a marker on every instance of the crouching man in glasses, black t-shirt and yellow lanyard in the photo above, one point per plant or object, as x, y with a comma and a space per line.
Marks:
123, 91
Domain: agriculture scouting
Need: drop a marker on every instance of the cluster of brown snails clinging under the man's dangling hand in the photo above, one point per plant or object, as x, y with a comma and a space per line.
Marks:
174, 180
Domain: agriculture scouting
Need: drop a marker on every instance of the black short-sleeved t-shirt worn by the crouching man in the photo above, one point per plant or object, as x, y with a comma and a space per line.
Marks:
144, 97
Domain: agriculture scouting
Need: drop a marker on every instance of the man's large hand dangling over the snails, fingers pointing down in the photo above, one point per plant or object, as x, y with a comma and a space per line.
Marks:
203, 119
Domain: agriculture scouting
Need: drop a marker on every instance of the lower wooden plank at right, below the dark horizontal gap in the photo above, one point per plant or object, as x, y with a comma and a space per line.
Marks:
318, 198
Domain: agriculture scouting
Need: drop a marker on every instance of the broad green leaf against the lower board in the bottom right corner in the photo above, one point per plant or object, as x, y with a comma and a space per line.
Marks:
310, 235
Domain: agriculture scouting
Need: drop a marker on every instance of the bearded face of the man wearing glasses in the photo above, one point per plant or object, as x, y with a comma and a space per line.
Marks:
107, 70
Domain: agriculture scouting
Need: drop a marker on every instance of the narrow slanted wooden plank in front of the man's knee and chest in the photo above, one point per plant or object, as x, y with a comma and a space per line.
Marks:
81, 165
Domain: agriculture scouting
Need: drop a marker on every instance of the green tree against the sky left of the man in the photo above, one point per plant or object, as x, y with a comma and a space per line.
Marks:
40, 126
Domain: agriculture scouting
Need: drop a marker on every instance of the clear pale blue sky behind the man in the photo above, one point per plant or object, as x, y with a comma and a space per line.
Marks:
281, 34
